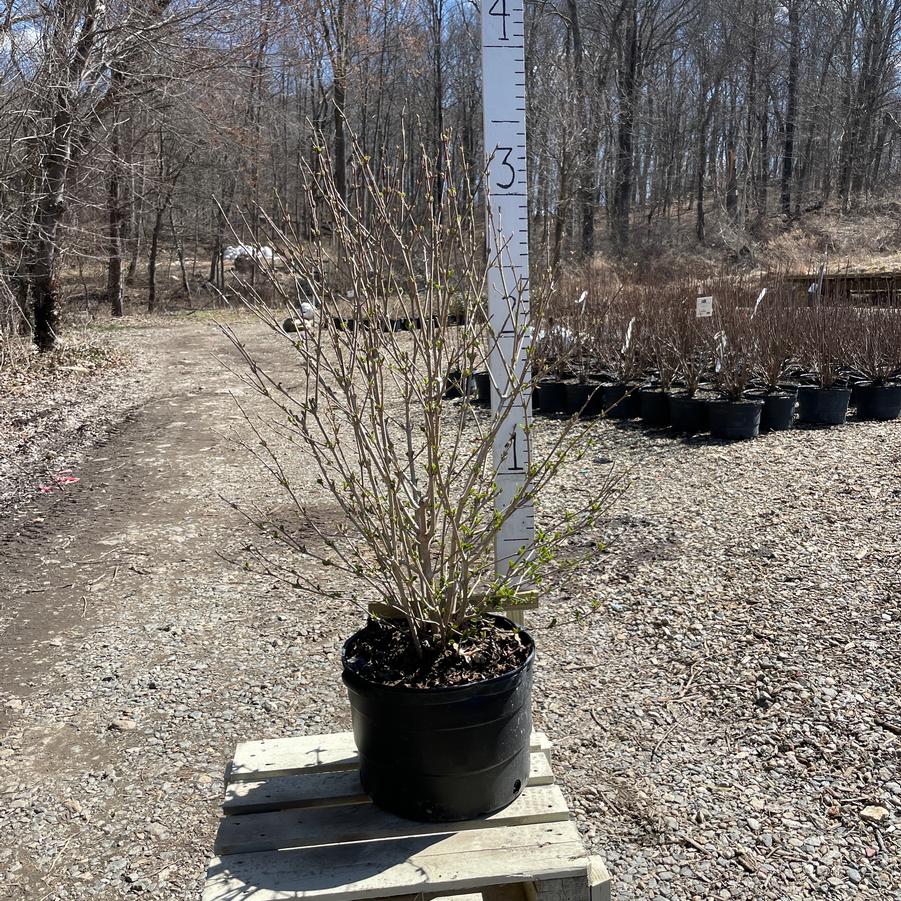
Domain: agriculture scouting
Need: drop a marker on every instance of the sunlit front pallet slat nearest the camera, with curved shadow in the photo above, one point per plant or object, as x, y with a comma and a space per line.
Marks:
450, 863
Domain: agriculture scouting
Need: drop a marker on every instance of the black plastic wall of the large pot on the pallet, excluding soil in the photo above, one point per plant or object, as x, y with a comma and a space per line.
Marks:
443, 754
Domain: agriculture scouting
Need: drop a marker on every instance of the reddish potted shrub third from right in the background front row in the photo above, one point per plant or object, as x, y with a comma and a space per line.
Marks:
775, 330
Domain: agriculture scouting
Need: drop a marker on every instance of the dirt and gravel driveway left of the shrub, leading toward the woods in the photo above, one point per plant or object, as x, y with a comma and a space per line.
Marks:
133, 655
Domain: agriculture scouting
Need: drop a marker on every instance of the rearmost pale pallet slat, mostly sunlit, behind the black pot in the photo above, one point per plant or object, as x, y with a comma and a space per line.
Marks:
256, 760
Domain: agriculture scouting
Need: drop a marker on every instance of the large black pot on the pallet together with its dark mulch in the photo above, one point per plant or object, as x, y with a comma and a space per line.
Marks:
455, 749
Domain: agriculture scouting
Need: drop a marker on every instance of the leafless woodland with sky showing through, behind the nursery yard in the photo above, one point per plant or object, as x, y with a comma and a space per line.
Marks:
132, 127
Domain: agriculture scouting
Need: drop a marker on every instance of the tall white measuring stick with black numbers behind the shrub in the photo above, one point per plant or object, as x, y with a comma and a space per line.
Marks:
504, 115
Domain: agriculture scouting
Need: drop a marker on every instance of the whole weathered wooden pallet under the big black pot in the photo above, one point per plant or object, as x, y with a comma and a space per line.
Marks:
298, 825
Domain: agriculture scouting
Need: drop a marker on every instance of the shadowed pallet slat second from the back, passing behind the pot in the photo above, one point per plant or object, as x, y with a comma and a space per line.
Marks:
326, 789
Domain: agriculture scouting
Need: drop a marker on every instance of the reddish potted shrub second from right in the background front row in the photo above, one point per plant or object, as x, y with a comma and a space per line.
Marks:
824, 399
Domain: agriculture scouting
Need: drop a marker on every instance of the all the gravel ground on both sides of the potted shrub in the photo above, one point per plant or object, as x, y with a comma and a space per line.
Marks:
726, 725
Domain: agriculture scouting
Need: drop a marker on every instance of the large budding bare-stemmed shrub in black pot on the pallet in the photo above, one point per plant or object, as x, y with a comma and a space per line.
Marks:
439, 685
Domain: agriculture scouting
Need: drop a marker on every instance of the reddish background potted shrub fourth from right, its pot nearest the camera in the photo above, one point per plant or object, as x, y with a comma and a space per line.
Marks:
734, 416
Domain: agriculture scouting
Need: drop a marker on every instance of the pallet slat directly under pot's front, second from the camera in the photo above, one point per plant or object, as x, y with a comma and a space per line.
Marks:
335, 825
